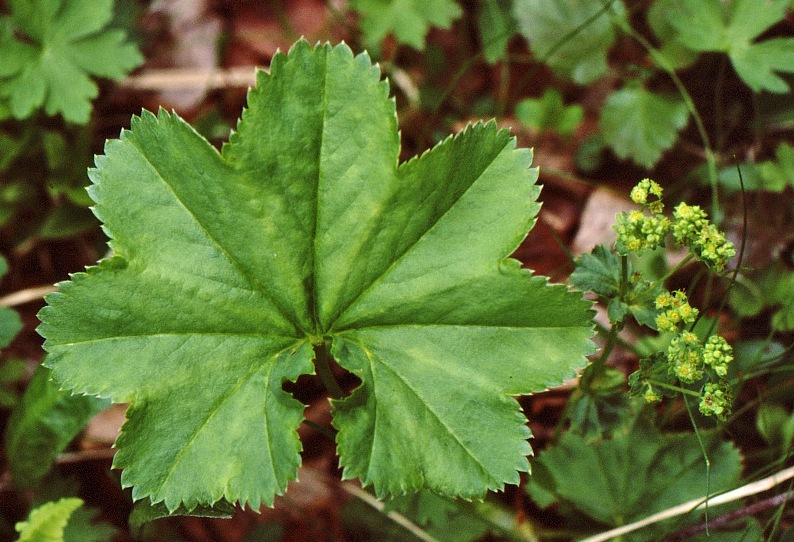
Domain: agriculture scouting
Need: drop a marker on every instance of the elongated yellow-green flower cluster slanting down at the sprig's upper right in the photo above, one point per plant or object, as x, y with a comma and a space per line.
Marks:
691, 228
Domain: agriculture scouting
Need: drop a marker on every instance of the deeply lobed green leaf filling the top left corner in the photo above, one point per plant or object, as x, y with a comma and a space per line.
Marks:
50, 48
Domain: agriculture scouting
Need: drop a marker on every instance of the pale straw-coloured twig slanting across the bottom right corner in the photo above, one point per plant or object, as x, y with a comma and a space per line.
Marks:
695, 504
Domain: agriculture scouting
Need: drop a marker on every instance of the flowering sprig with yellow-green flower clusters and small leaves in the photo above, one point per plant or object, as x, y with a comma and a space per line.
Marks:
690, 364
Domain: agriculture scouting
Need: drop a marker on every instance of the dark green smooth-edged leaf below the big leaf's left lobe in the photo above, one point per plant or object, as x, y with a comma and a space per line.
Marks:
43, 424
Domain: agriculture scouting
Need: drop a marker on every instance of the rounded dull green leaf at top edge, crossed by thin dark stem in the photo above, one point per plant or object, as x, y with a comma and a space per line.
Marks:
571, 36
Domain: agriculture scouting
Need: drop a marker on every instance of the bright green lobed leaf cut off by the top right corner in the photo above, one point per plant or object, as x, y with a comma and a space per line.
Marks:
731, 27
